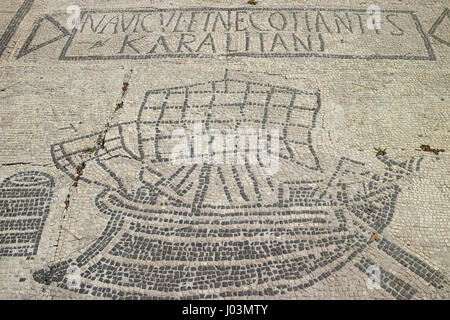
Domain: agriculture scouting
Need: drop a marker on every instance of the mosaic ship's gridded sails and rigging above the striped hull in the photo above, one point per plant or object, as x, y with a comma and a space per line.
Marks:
252, 133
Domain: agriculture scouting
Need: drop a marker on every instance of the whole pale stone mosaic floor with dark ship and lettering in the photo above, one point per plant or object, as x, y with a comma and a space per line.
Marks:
137, 226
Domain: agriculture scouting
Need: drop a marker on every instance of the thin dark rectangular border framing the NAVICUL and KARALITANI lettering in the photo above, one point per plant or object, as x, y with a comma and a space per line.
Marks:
430, 57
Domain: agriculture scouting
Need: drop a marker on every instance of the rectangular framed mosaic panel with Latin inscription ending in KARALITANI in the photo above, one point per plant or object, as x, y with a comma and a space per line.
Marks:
208, 33
